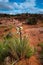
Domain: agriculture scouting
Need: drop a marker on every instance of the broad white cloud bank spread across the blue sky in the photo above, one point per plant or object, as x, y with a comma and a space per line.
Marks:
26, 6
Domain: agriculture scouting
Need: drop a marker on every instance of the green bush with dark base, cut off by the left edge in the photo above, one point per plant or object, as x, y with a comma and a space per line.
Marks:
3, 51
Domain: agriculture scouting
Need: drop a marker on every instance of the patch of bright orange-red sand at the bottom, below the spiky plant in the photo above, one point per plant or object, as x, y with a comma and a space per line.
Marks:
32, 61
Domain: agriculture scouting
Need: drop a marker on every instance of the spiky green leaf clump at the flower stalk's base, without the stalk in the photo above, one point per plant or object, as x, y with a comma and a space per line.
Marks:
20, 49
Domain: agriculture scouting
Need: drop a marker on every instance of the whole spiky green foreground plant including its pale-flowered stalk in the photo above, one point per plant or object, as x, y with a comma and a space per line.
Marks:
19, 47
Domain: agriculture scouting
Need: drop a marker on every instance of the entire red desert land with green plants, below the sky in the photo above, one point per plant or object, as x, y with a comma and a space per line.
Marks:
21, 39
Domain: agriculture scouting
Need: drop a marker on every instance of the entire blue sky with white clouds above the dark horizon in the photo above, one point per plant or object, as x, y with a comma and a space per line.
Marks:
21, 6
